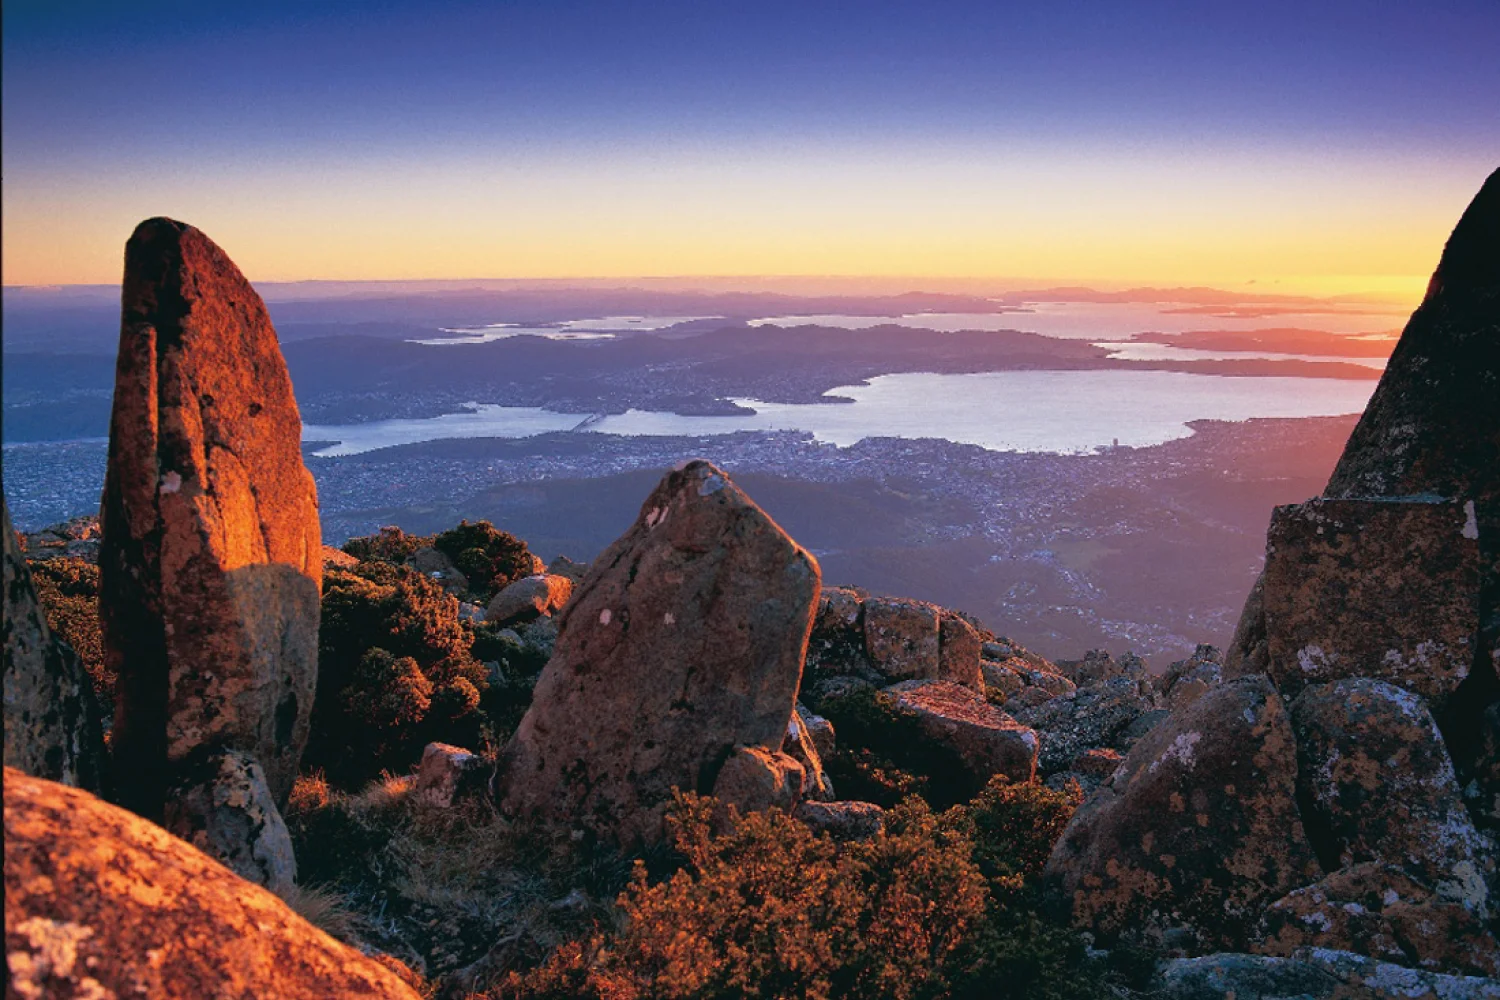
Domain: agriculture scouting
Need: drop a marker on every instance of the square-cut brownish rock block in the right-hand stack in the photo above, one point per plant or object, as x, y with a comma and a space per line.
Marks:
1373, 588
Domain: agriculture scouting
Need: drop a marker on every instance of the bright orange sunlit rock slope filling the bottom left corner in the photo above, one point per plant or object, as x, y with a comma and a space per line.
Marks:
101, 903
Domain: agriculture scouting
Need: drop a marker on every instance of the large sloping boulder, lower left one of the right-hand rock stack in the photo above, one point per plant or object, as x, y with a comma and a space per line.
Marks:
1198, 830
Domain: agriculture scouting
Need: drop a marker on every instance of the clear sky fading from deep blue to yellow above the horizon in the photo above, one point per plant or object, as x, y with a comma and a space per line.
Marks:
1319, 148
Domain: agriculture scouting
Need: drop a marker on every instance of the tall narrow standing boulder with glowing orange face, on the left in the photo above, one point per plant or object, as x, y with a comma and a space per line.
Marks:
212, 555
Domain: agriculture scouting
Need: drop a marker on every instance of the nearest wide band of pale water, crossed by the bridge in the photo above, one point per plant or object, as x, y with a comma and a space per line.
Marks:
1003, 412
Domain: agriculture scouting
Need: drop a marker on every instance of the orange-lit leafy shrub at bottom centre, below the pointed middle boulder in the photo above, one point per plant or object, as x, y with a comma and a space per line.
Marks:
769, 909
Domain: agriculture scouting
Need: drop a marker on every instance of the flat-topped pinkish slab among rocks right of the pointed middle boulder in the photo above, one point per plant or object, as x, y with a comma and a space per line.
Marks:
985, 738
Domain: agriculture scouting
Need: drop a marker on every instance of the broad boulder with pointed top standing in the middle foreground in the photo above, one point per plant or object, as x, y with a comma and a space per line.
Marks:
683, 644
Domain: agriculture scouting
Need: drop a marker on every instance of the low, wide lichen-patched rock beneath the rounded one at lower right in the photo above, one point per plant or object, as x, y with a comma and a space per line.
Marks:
1381, 912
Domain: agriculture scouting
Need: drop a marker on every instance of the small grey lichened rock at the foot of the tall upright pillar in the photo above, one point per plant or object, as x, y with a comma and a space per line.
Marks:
224, 809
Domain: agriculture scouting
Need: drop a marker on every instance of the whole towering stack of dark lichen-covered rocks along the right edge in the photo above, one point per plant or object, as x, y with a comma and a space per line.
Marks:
1349, 762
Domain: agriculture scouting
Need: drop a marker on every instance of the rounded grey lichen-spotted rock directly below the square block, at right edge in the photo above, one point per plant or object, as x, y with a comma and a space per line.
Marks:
1379, 783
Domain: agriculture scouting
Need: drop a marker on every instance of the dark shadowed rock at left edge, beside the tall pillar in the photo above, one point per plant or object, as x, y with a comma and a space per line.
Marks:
52, 714
